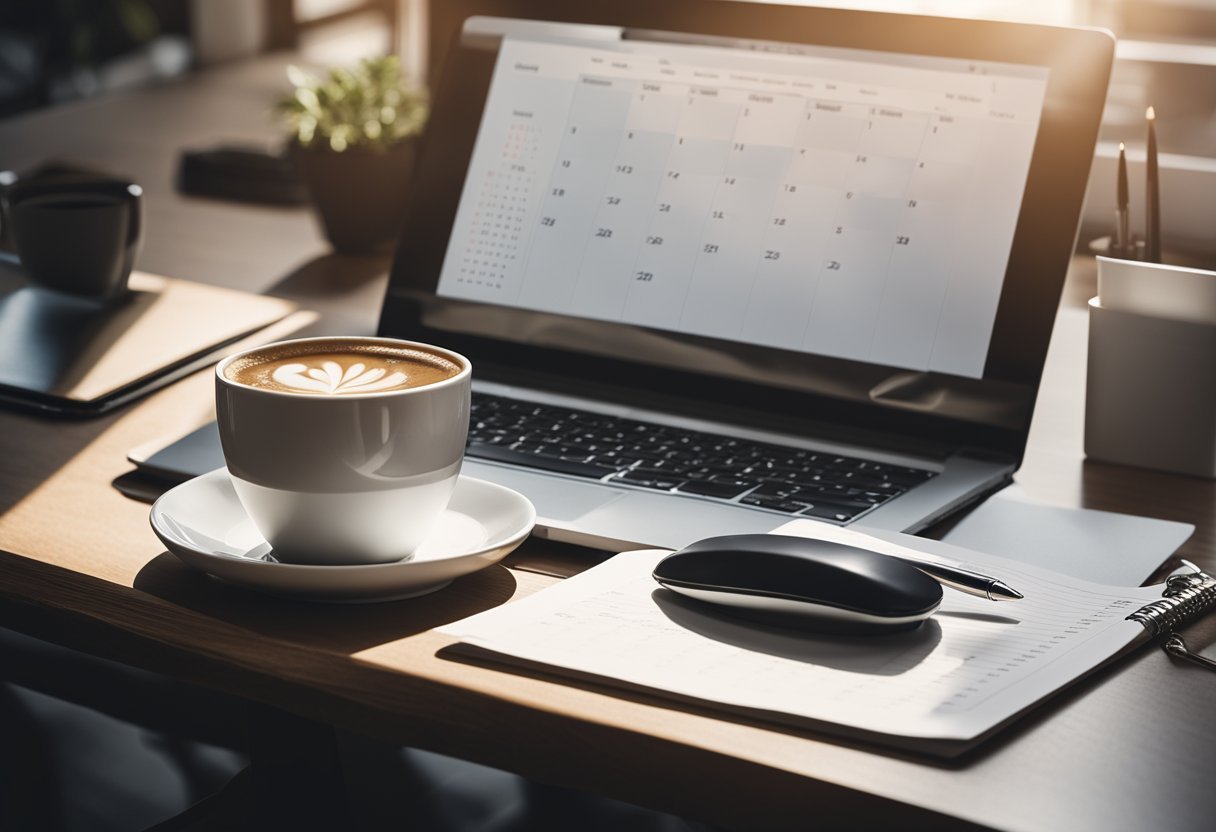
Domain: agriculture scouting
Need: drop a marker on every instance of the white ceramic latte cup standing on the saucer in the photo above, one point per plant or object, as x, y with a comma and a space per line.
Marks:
344, 479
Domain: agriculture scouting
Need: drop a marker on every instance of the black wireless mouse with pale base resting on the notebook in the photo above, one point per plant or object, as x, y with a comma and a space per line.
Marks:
801, 583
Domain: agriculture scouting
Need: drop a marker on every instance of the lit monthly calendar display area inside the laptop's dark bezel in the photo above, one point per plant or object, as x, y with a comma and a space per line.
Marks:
840, 204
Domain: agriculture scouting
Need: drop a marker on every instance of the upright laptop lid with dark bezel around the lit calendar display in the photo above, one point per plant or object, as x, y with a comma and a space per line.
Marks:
846, 226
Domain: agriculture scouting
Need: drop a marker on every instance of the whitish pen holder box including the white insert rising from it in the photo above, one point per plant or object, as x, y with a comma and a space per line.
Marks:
1151, 398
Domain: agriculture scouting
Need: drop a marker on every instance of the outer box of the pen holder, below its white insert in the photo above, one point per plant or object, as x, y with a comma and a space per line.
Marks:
1151, 397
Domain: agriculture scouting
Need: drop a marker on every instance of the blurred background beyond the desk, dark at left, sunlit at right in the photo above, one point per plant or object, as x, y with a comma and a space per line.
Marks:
57, 52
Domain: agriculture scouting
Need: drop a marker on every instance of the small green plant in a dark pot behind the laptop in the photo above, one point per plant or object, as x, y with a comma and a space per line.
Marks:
354, 139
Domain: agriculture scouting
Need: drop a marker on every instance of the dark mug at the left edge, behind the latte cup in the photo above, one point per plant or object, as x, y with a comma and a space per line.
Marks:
76, 235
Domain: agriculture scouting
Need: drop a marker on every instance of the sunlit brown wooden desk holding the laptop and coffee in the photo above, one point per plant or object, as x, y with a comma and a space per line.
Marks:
1130, 749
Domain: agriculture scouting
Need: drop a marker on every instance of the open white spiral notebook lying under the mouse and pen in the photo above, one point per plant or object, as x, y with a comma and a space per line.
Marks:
941, 690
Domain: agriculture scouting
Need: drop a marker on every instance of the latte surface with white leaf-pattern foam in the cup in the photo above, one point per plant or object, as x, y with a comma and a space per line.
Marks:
340, 368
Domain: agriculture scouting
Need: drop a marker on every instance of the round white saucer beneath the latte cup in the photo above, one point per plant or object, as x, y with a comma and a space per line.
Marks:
202, 522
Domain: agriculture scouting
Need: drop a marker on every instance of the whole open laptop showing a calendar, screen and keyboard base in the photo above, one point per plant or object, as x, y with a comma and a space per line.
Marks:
722, 266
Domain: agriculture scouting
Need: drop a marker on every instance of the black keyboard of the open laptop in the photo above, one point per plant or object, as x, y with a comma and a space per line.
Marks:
663, 458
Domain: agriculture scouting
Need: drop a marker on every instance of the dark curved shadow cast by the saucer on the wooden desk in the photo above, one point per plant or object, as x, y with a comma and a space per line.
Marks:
339, 628
